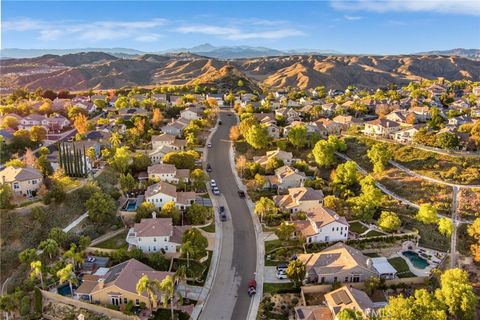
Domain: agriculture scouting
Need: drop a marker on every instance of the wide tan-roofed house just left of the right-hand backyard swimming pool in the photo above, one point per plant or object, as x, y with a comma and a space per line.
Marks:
338, 263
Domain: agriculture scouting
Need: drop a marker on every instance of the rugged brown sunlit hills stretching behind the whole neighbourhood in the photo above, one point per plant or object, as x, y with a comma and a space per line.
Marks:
99, 70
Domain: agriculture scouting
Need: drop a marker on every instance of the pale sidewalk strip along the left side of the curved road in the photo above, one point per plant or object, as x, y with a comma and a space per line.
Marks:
212, 271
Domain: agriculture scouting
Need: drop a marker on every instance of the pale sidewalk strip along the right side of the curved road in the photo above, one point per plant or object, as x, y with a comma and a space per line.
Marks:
255, 304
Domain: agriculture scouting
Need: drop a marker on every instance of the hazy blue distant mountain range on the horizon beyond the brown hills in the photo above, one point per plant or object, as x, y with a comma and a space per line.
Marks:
208, 50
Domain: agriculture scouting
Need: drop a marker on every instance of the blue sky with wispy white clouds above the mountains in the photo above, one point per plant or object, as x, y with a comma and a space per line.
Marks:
363, 26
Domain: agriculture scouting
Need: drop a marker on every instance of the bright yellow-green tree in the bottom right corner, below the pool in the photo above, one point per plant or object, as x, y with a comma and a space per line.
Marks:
457, 293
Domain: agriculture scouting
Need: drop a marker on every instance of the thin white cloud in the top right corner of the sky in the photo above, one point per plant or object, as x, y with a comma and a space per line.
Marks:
467, 7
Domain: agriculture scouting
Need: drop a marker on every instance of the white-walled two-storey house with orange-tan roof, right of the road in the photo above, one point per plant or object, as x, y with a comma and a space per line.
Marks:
322, 225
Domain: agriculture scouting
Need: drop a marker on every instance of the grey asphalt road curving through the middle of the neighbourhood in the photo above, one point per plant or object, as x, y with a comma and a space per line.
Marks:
228, 298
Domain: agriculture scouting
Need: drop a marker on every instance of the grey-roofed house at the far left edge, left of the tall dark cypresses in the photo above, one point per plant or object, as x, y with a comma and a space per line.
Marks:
23, 181
